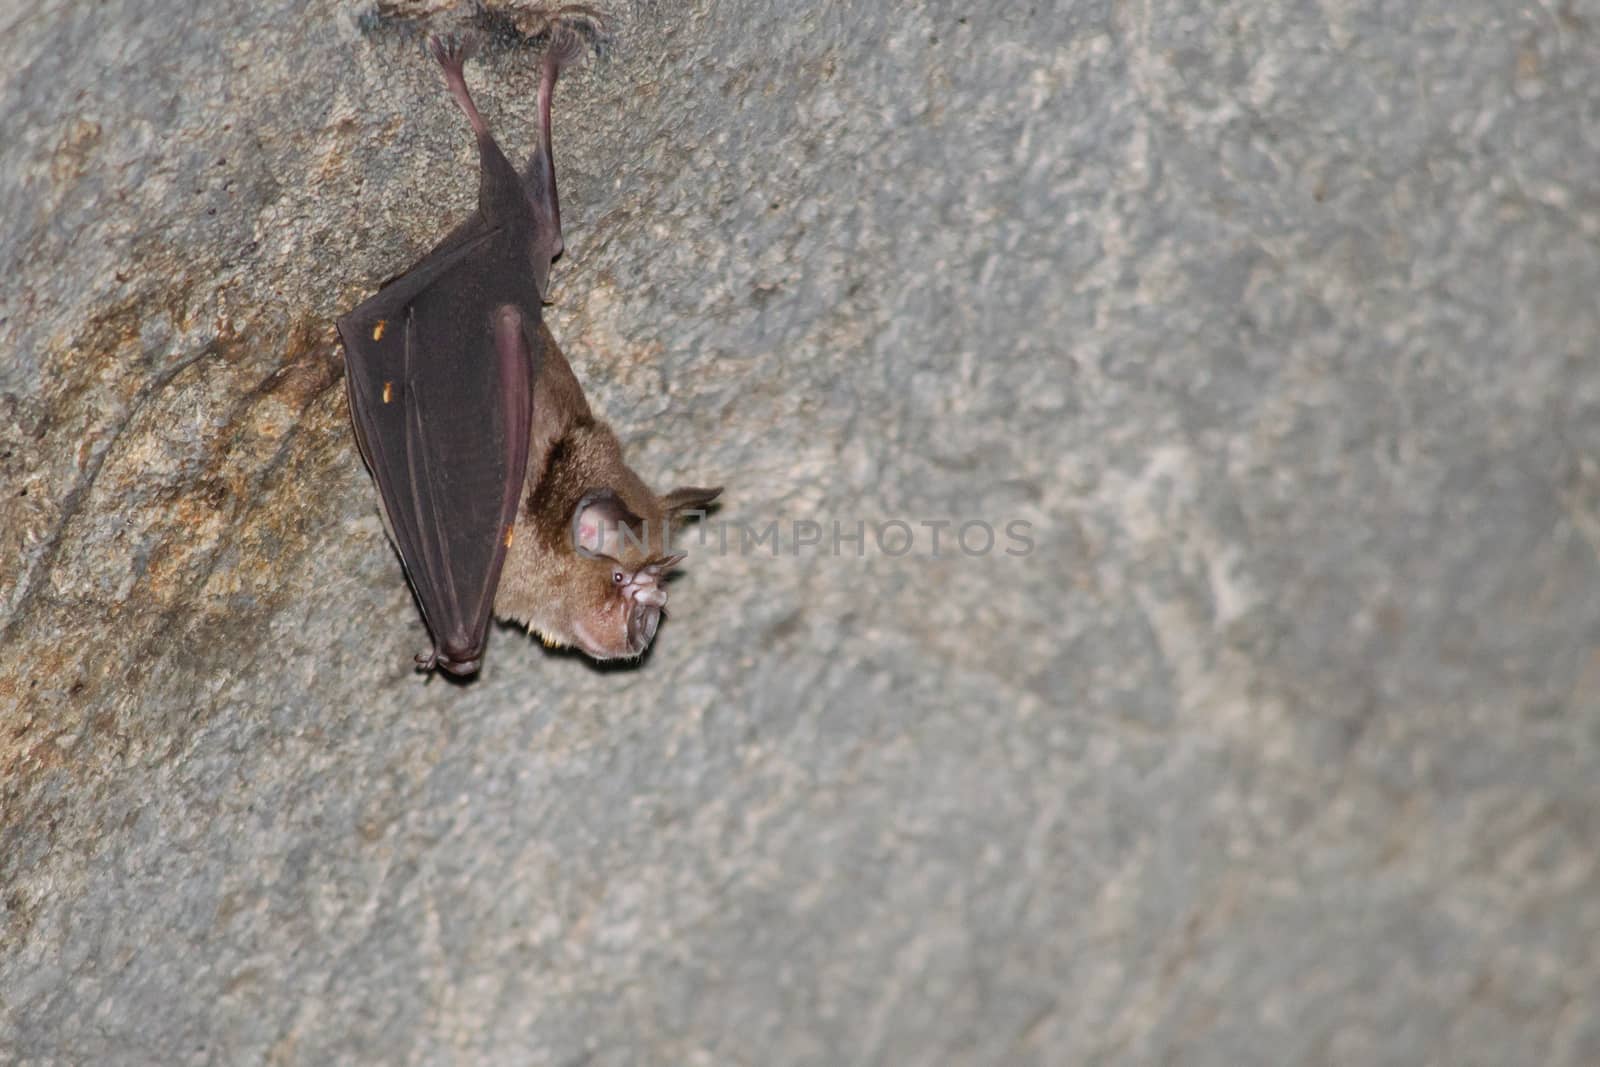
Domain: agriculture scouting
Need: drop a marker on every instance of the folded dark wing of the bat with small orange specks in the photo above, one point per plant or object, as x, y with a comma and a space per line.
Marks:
441, 398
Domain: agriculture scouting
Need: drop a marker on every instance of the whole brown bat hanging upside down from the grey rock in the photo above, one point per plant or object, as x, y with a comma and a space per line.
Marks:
500, 489
